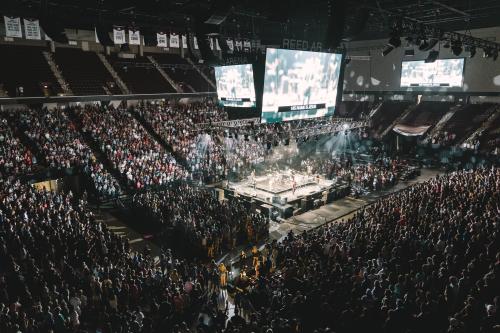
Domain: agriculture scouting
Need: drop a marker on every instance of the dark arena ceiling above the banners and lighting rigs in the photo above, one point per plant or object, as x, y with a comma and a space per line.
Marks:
248, 18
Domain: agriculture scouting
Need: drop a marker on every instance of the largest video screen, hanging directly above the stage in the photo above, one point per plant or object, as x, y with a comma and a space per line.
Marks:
299, 85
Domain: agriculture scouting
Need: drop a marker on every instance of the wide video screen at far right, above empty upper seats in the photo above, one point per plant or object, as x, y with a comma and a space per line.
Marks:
441, 73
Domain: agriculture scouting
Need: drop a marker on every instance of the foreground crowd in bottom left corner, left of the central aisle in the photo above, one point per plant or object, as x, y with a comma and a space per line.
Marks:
63, 271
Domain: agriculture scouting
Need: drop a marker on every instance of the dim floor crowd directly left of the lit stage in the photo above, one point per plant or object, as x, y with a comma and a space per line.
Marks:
207, 226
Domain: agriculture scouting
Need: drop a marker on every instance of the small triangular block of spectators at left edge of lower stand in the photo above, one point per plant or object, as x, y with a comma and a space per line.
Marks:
15, 158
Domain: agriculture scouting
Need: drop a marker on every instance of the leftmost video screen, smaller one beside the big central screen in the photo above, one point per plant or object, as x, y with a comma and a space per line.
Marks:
235, 86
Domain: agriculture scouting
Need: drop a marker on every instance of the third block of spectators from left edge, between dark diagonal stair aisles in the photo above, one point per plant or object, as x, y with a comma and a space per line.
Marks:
132, 151
